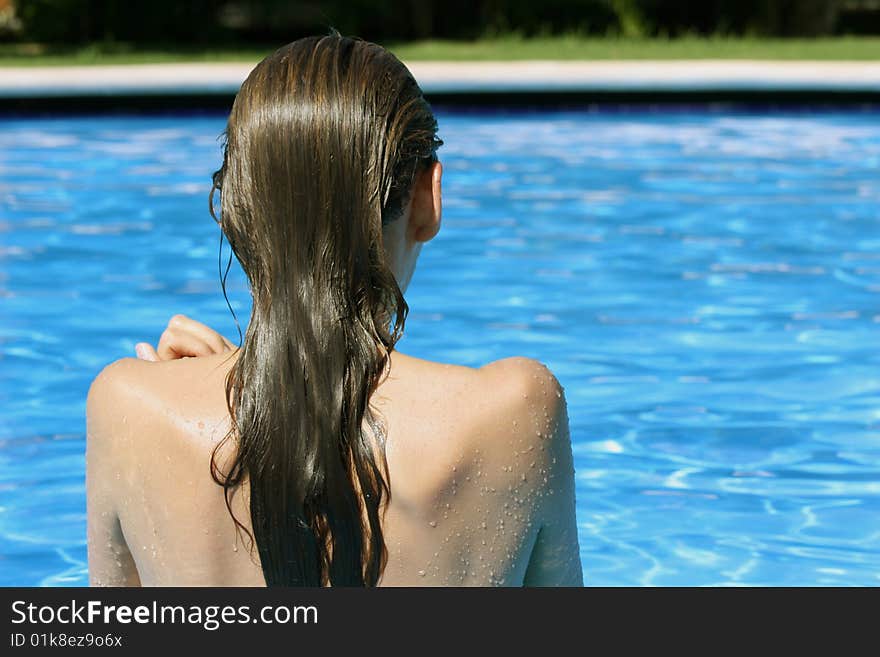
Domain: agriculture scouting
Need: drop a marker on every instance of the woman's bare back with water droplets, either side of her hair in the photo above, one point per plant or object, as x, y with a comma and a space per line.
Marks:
479, 462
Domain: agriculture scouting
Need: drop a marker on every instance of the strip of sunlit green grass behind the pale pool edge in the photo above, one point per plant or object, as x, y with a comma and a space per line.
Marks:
511, 48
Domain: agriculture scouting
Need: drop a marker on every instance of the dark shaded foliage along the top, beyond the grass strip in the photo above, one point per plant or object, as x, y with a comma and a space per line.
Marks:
222, 22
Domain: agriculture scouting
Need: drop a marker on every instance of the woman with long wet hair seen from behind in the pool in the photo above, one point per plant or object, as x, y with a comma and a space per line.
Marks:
317, 454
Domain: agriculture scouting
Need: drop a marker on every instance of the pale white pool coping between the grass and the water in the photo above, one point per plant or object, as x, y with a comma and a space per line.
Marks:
467, 77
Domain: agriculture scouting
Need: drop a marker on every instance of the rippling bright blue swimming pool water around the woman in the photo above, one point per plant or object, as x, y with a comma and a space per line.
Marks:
705, 285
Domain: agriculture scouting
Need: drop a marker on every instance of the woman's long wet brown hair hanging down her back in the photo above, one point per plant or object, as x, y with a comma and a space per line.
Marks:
323, 144
